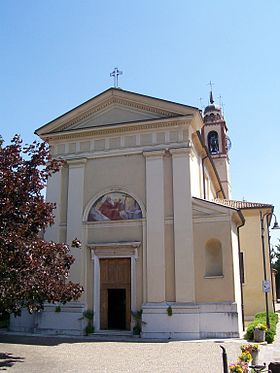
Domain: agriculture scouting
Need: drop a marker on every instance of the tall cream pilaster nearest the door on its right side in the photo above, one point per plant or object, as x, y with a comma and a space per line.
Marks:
155, 226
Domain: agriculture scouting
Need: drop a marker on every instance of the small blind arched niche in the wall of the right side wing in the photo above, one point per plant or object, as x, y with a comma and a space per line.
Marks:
213, 258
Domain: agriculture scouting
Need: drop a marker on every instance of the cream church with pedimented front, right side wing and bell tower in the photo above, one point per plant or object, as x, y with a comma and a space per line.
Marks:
145, 187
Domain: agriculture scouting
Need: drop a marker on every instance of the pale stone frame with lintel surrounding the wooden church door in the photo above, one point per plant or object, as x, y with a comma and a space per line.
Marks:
112, 250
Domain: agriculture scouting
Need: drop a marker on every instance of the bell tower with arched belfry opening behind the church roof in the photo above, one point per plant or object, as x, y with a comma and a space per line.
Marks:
214, 133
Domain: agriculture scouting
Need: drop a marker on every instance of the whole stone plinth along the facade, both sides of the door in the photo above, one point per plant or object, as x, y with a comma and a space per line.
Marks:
188, 321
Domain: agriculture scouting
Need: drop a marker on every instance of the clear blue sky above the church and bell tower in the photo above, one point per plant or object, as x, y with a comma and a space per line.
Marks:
58, 53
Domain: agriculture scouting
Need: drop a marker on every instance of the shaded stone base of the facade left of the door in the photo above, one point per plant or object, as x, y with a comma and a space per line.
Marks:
69, 321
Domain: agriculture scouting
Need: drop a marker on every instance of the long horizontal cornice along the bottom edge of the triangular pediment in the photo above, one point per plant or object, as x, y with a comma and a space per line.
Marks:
115, 129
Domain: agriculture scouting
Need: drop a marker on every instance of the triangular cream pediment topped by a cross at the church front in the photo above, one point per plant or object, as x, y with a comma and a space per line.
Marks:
115, 106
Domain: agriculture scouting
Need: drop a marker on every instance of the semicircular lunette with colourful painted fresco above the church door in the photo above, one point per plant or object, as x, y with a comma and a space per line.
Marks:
115, 206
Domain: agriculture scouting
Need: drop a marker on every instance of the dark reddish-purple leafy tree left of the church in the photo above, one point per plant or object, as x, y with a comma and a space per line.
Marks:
32, 270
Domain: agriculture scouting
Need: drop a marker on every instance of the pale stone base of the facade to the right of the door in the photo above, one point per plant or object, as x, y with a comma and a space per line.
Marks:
190, 321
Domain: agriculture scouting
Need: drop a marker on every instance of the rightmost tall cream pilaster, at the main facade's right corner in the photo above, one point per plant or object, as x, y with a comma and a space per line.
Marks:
183, 226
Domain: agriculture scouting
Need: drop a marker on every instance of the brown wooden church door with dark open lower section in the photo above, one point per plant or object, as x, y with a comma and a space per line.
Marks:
115, 293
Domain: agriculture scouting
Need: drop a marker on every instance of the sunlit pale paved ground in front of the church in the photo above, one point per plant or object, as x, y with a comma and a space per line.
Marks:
64, 355
